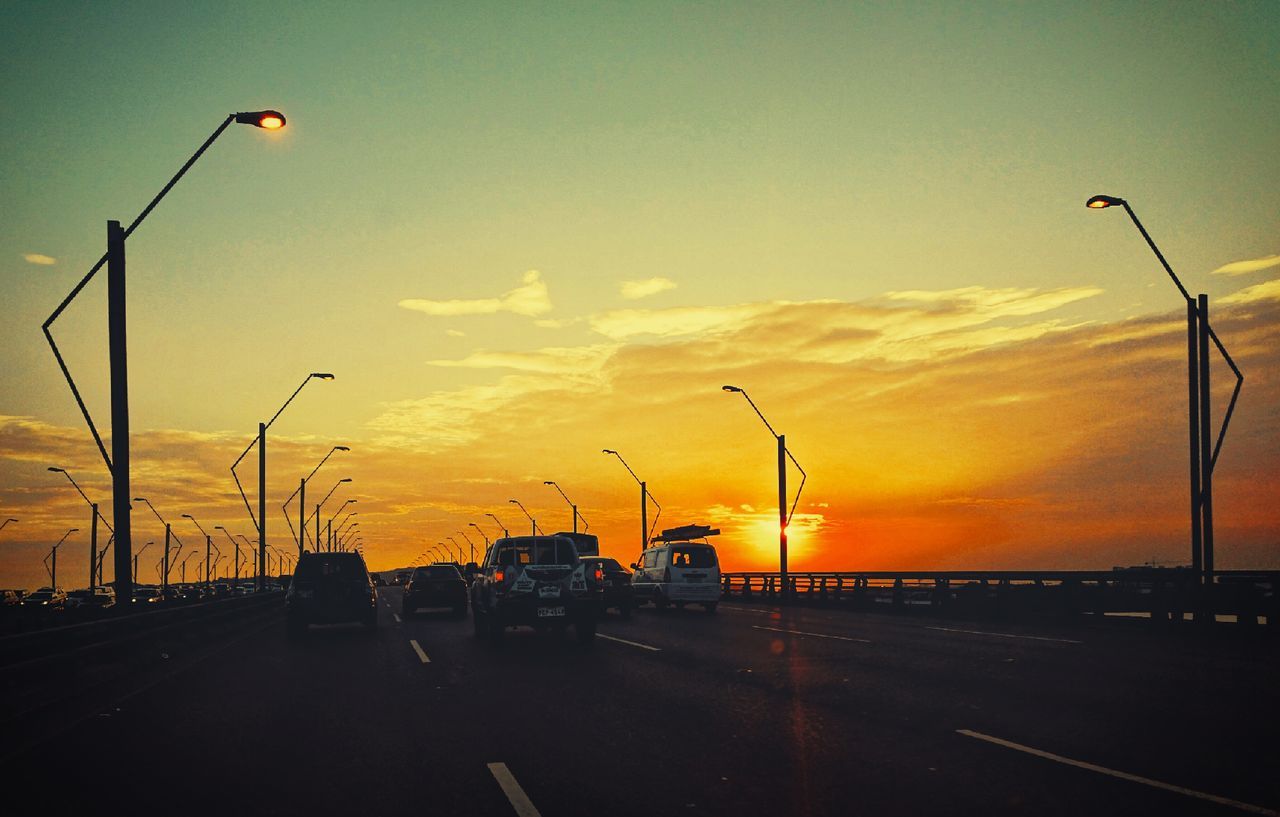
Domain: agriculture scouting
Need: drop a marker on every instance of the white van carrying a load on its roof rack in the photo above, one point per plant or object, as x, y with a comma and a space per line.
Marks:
679, 570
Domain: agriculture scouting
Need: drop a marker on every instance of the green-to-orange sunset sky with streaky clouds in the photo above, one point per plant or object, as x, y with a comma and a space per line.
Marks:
522, 234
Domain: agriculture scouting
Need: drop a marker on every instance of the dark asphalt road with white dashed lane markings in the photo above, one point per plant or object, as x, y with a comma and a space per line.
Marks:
749, 711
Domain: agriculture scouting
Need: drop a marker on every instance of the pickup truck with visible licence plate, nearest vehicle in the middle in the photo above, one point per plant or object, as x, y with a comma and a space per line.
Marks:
536, 582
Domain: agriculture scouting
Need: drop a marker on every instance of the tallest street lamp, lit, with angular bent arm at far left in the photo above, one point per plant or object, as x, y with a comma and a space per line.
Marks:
118, 464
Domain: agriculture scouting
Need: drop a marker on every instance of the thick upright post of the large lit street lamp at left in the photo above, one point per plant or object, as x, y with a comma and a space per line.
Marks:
118, 357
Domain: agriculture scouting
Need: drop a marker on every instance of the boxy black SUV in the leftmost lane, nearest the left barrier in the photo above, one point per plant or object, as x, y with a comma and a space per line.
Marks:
331, 588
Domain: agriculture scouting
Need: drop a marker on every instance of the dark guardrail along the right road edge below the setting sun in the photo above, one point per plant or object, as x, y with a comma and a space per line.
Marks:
1162, 594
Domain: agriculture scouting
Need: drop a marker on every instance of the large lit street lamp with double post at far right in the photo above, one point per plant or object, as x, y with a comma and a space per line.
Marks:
1203, 460
